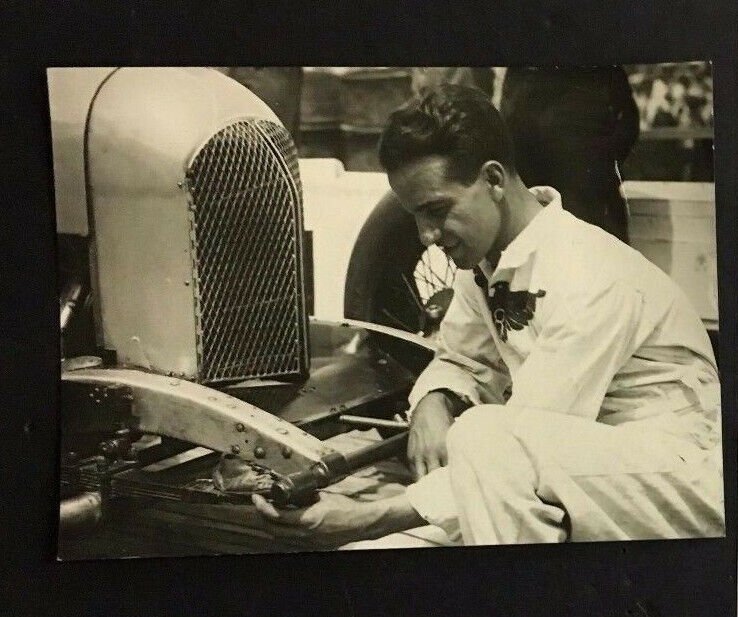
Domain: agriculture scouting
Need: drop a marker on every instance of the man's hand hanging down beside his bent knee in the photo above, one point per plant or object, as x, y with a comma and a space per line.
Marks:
426, 445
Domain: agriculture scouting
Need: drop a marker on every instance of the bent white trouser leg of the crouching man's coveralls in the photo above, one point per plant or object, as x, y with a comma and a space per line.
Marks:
523, 476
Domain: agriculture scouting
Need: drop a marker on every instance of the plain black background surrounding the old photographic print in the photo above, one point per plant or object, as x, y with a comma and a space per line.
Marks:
608, 579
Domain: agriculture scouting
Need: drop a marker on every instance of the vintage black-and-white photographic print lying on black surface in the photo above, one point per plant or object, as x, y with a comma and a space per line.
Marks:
339, 308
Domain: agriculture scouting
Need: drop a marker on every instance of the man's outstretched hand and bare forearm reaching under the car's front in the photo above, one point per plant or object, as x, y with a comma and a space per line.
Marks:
336, 520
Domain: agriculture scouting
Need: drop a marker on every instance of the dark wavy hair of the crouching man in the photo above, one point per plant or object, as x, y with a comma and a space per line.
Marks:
457, 122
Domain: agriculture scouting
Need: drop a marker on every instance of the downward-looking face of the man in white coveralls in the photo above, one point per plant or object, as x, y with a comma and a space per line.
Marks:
462, 220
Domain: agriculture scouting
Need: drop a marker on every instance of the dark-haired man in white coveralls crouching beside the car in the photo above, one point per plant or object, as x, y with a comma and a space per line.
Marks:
575, 395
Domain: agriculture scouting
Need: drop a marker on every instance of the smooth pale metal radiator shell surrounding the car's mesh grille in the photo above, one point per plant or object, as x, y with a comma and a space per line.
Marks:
145, 129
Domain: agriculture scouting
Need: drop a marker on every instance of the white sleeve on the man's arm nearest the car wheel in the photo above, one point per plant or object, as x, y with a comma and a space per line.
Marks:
467, 361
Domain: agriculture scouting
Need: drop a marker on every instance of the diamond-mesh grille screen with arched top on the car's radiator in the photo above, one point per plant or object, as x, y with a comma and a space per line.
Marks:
246, 223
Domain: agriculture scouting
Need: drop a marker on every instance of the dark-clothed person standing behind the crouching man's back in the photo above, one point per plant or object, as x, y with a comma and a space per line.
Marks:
571, 128
